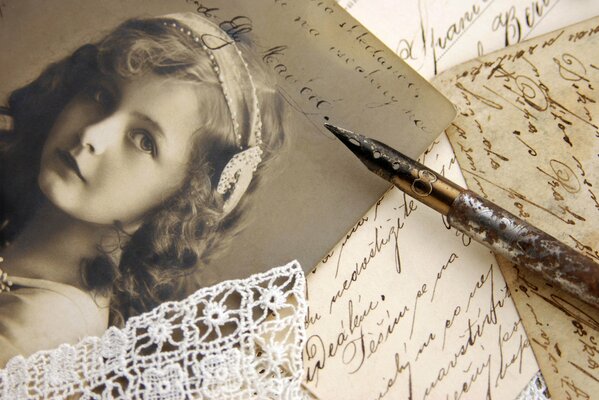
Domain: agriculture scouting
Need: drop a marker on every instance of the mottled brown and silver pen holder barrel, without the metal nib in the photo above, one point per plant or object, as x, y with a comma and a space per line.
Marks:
526, 245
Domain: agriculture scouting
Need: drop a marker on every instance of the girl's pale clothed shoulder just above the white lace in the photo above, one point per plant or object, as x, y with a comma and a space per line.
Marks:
39, 315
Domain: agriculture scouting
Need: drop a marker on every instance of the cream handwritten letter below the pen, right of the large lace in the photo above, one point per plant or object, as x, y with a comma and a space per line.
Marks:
404, 307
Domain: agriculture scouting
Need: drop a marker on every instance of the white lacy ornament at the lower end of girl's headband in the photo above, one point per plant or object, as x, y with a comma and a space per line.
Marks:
237, 175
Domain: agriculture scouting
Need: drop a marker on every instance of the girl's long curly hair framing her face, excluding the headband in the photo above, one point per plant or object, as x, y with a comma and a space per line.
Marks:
188, 228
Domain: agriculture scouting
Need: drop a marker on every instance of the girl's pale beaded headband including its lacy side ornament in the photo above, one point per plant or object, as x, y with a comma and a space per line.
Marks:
239, 90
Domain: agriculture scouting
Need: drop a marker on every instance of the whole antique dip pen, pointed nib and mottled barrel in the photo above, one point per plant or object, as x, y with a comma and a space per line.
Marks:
482, 220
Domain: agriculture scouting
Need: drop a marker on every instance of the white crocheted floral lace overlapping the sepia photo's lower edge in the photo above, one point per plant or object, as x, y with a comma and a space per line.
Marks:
236, 340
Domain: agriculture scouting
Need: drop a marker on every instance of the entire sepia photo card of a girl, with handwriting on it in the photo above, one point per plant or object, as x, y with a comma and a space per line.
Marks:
150, 148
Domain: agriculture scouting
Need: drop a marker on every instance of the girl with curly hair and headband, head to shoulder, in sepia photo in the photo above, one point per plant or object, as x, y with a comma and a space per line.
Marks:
126, 165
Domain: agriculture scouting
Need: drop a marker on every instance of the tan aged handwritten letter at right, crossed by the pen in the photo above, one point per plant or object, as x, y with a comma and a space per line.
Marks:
527, 138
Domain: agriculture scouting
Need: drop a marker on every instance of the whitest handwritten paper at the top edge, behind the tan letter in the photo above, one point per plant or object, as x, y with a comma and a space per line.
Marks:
432, 35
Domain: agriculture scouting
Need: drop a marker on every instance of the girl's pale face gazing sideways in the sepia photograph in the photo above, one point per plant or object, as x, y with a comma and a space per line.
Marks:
118, 150
